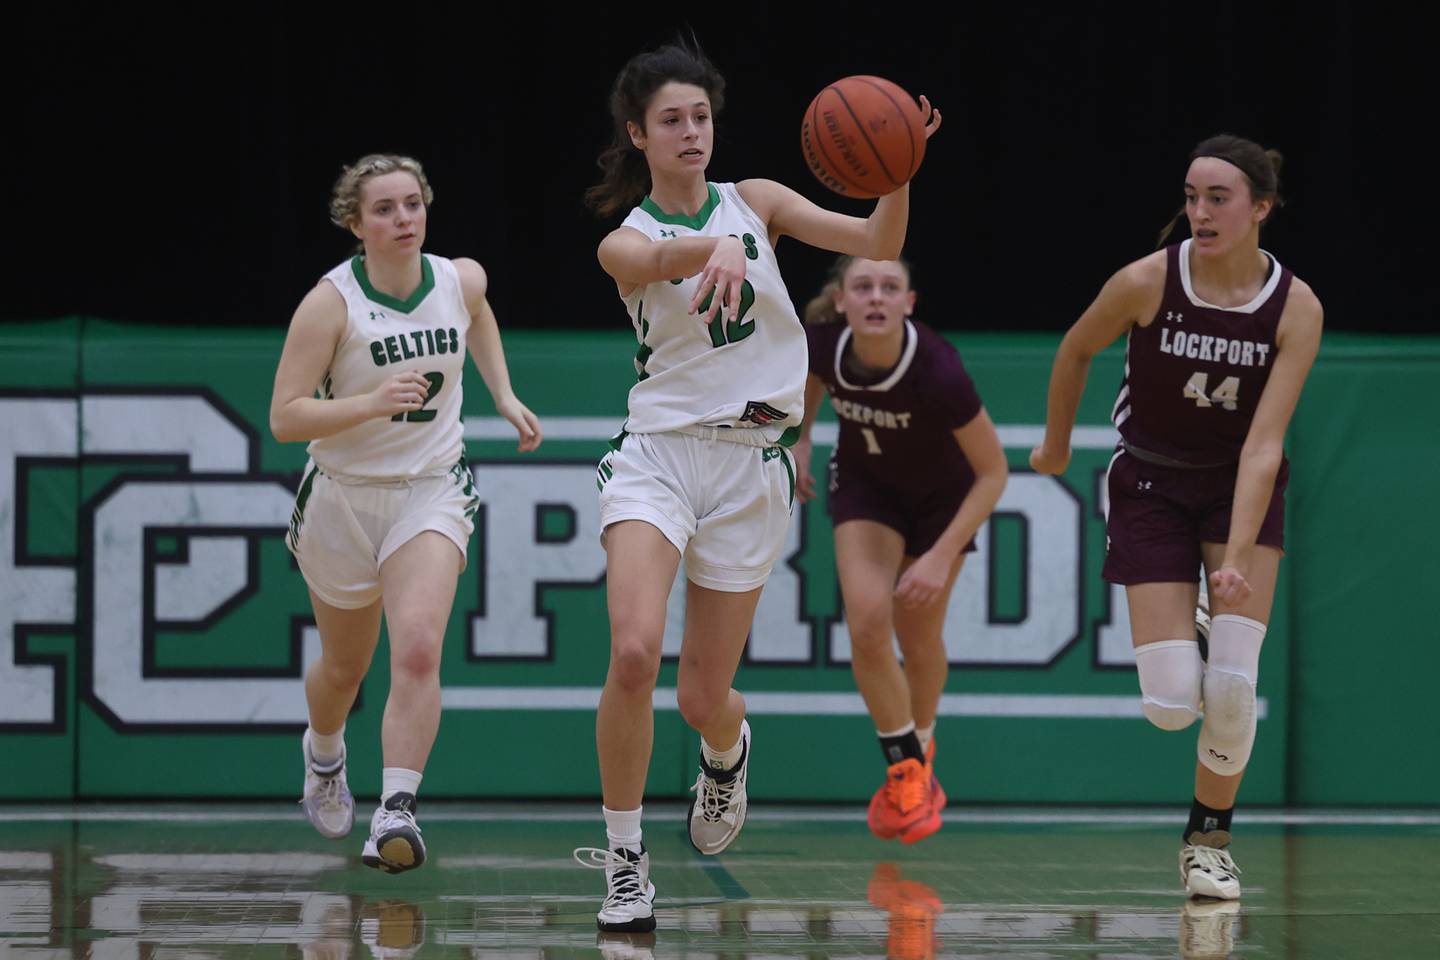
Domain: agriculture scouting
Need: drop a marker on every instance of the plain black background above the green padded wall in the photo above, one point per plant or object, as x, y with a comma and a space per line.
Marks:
176, 168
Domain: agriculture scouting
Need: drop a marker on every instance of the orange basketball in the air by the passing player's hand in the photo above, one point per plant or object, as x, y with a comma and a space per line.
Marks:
863, 137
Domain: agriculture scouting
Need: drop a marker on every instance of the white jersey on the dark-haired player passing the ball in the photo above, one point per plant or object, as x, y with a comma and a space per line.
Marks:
744, 373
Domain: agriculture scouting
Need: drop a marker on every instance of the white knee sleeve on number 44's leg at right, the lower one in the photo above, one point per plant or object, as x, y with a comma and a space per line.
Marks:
1229, 732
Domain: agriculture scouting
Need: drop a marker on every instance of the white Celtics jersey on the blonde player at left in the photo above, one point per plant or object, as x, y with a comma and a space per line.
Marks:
387, 336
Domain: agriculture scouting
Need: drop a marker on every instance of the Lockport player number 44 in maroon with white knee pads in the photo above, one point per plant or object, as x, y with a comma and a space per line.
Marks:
1220, 339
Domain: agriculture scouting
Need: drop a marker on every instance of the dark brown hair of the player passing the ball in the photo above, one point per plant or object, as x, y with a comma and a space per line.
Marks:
626, 173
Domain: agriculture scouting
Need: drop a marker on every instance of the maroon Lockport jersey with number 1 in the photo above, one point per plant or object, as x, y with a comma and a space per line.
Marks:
898, 428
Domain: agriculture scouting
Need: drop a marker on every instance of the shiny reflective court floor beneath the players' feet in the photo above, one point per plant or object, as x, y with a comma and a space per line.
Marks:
158, 882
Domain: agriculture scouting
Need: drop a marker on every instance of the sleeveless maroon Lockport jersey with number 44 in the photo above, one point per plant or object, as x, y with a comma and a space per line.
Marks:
1193, 378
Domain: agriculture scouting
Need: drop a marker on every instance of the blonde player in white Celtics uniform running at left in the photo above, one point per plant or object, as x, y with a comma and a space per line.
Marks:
385, 510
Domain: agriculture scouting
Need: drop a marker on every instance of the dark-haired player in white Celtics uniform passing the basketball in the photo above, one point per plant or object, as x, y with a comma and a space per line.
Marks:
701, 471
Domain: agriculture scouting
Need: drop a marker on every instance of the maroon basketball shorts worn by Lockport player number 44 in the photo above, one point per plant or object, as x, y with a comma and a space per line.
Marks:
1160, 516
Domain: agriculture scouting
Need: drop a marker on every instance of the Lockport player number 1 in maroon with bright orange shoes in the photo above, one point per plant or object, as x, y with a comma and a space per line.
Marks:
917, 471
